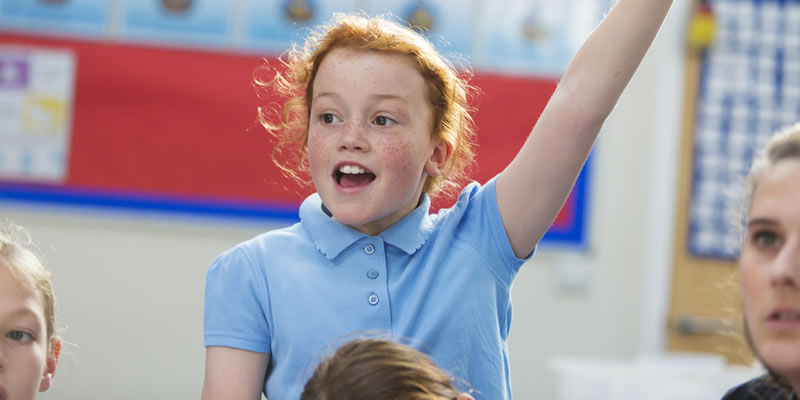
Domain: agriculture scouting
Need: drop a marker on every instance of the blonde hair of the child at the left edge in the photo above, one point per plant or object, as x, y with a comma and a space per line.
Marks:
18, 255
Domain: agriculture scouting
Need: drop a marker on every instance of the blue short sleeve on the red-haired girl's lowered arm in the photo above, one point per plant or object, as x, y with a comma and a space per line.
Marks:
236, 304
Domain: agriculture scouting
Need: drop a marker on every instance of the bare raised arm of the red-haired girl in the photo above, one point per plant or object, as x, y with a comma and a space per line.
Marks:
534, 186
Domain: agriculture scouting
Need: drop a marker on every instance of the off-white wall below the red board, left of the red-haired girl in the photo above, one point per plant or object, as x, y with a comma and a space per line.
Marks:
130, 299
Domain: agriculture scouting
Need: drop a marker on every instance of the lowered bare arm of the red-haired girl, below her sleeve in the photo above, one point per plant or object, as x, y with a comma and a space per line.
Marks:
233, 374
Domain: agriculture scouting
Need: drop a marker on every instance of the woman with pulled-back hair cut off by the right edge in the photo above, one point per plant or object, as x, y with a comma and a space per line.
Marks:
769, 269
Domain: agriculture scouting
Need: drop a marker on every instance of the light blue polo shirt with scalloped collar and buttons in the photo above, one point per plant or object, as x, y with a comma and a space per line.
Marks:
440, 282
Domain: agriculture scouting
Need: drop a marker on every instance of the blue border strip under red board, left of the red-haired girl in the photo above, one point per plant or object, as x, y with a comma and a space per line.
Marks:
146, 202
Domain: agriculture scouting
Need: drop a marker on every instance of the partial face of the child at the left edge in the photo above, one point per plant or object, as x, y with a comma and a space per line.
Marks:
23, 345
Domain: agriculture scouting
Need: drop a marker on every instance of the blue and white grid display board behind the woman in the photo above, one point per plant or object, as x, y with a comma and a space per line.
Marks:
750, 87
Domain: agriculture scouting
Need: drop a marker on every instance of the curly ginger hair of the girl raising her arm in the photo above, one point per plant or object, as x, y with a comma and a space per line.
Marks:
447, 92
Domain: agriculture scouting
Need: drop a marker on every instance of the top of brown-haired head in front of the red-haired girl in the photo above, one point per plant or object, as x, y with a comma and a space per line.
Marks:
368, 369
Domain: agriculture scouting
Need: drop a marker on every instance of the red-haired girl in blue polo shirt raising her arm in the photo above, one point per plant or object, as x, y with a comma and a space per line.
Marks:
379, 118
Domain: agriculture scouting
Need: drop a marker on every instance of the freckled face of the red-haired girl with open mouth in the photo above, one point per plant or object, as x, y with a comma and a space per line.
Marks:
370, 142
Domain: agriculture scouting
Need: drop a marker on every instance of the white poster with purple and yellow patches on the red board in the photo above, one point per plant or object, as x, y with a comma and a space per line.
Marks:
36, 98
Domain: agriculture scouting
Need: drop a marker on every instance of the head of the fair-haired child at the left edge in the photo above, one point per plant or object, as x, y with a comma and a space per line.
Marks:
29, 348
